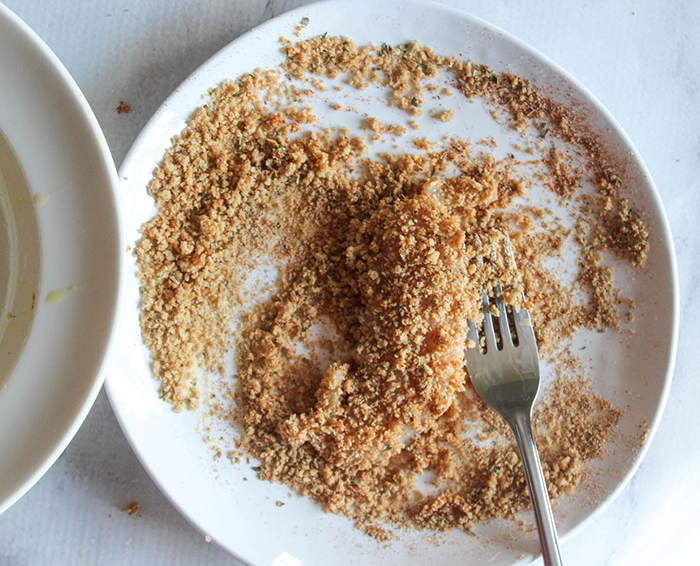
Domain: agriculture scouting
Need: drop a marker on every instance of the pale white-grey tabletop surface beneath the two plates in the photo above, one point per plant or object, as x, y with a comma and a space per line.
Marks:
641, 58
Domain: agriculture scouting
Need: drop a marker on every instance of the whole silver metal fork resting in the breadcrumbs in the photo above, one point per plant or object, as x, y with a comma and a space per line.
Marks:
508, 381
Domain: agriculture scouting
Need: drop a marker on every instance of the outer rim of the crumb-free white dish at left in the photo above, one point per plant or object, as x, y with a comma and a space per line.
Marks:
97, 139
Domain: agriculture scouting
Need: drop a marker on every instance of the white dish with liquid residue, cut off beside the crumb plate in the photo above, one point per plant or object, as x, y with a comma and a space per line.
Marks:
59, 230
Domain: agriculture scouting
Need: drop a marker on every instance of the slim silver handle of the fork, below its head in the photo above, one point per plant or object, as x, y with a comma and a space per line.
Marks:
522, 429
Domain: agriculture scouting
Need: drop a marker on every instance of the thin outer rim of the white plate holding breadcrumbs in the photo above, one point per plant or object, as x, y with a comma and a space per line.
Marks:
663, 226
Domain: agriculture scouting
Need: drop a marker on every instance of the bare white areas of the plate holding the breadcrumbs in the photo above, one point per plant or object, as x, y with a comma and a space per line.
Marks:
241, 515
